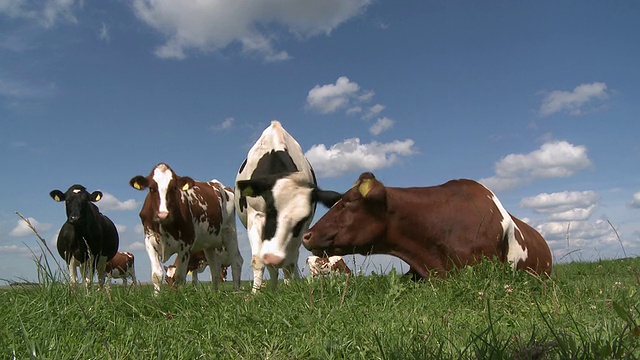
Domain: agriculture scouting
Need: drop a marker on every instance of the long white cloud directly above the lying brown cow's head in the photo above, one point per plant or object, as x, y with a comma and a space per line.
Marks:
351, 155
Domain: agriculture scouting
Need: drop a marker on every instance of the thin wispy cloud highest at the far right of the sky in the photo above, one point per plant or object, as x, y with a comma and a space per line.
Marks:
573, 102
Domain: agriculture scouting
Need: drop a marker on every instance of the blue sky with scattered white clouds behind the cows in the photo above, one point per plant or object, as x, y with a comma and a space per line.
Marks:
538, 100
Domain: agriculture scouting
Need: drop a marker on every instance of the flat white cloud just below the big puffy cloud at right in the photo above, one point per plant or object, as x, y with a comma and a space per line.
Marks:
563, 206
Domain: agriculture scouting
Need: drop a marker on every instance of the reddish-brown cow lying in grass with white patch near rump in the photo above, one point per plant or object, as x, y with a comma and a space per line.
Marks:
436, 228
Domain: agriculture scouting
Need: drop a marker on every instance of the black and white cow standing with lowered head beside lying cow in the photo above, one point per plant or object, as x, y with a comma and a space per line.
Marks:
276, 196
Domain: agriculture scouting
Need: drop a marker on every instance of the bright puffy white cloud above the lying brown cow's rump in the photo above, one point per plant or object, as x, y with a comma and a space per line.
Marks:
554, 159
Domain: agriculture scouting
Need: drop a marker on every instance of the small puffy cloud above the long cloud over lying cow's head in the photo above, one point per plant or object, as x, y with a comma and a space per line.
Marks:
329, 98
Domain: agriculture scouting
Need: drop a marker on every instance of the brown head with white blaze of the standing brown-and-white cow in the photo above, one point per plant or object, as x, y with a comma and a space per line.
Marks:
164, 191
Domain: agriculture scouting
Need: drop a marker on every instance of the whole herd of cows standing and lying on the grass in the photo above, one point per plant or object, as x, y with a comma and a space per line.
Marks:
433, 229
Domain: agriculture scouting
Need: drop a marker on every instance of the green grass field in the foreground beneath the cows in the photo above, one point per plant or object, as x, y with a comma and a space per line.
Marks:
585, 311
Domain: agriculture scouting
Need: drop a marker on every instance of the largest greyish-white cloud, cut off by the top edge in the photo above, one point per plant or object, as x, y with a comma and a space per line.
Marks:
213, 25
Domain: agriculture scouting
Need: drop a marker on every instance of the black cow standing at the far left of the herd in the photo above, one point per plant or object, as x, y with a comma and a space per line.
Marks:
87, 239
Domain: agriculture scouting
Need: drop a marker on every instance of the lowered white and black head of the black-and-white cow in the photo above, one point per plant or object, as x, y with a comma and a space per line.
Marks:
290, 204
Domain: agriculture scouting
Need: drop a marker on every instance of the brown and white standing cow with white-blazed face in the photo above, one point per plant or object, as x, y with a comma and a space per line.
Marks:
181, 215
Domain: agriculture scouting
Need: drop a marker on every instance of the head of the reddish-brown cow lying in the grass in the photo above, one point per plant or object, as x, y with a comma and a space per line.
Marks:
354, 224
